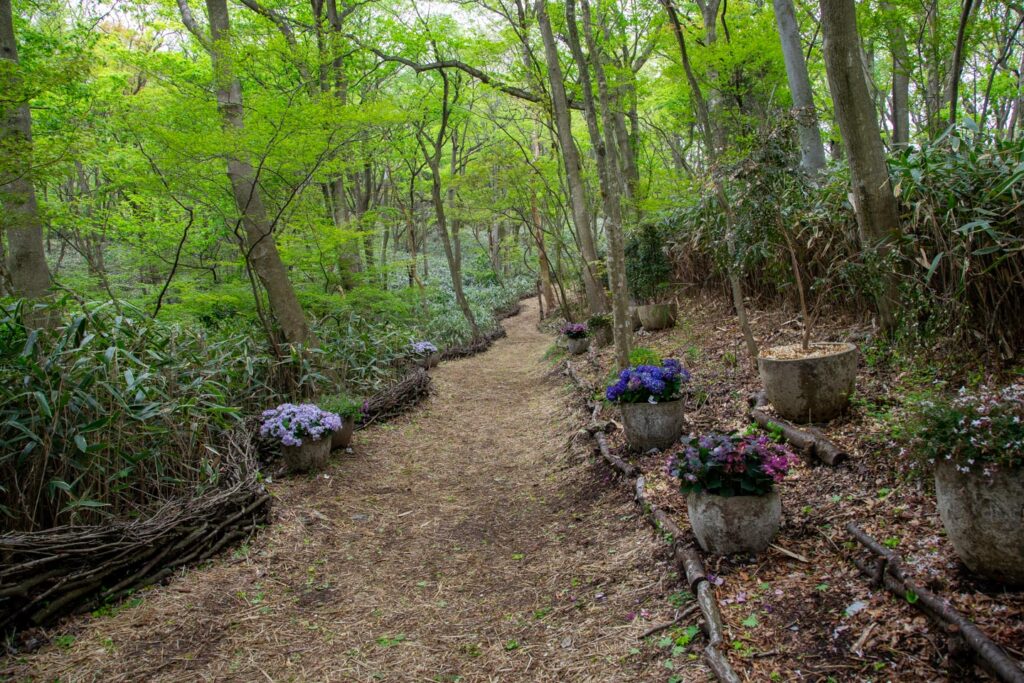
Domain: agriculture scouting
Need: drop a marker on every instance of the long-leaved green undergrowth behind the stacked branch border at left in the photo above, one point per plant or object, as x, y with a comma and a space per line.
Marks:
108, 413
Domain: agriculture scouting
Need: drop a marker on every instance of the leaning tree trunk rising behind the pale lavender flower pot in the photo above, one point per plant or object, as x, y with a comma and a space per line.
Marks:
262, 250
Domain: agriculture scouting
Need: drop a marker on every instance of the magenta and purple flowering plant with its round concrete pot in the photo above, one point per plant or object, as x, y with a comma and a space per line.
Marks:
730, 483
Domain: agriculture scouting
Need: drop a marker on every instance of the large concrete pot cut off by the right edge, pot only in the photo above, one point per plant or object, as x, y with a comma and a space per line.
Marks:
984, 519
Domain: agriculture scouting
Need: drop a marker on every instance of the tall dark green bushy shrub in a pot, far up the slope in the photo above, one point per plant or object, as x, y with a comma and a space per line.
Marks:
648, 272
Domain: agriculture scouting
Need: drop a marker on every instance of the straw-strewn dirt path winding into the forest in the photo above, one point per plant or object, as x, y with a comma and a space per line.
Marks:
464, 542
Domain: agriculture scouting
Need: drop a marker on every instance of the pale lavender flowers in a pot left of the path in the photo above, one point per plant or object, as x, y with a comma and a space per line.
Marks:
305, 433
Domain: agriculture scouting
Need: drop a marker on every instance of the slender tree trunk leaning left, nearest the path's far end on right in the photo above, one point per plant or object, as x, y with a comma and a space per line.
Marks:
596, 300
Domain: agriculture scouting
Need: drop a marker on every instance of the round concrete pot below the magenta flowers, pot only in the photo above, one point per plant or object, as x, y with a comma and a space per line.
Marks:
727, 525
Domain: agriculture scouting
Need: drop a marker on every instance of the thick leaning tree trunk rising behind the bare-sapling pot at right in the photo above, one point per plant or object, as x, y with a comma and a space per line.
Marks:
878, 215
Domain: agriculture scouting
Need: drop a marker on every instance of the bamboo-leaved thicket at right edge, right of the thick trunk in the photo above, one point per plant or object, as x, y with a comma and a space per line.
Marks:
964, 229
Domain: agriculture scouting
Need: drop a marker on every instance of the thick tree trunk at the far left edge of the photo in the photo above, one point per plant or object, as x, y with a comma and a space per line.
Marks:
30, 277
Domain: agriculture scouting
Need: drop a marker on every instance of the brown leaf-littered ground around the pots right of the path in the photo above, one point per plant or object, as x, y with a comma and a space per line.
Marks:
816, 619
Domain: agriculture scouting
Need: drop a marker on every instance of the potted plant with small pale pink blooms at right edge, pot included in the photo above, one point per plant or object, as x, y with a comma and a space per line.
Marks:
975, 444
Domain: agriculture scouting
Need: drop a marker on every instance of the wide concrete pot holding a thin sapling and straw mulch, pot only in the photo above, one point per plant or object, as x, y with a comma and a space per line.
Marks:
813, 390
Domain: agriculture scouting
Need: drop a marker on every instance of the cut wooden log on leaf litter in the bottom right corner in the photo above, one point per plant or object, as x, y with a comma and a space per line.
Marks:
991, 655
